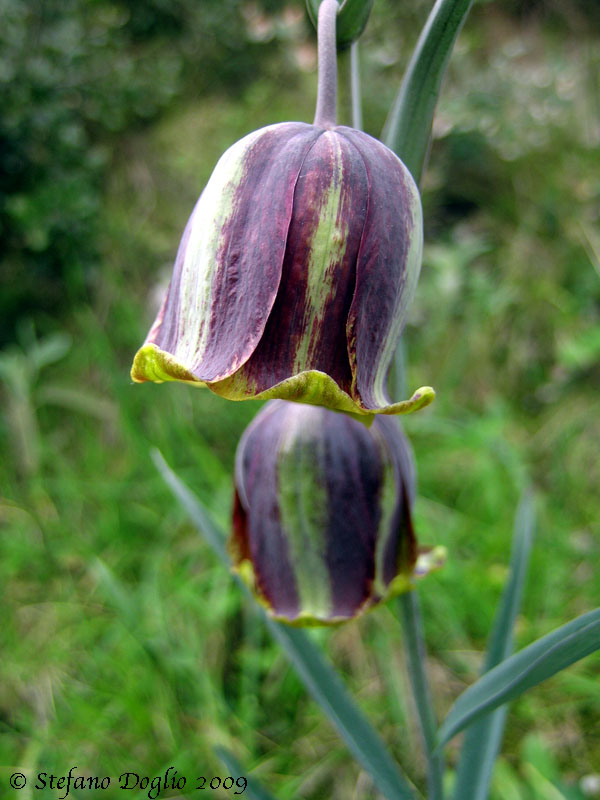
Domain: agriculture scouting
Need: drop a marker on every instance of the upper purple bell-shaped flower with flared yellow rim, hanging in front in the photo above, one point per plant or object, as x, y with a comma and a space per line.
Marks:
295, 270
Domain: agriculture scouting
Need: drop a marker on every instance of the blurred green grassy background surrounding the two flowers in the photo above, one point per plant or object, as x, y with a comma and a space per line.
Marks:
125, 646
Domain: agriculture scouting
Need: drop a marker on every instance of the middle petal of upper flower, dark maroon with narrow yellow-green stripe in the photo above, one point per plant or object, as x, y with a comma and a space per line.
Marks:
307, 326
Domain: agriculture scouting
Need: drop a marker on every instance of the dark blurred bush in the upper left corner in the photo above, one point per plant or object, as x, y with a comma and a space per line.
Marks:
74, 76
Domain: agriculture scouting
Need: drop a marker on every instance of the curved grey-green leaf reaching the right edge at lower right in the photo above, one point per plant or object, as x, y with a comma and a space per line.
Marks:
527, 668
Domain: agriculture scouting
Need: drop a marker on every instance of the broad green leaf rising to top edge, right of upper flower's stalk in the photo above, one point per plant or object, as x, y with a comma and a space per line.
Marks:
408, 126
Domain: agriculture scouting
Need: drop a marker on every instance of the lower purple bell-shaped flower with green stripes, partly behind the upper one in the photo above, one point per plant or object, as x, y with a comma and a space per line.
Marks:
322, 525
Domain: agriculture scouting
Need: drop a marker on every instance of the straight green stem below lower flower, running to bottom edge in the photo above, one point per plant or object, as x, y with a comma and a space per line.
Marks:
413, 633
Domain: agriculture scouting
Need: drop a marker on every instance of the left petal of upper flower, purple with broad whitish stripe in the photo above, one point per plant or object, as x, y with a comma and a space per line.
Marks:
227, 271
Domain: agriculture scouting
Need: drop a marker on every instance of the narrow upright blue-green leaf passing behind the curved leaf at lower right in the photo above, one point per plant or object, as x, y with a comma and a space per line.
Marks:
483, 739
